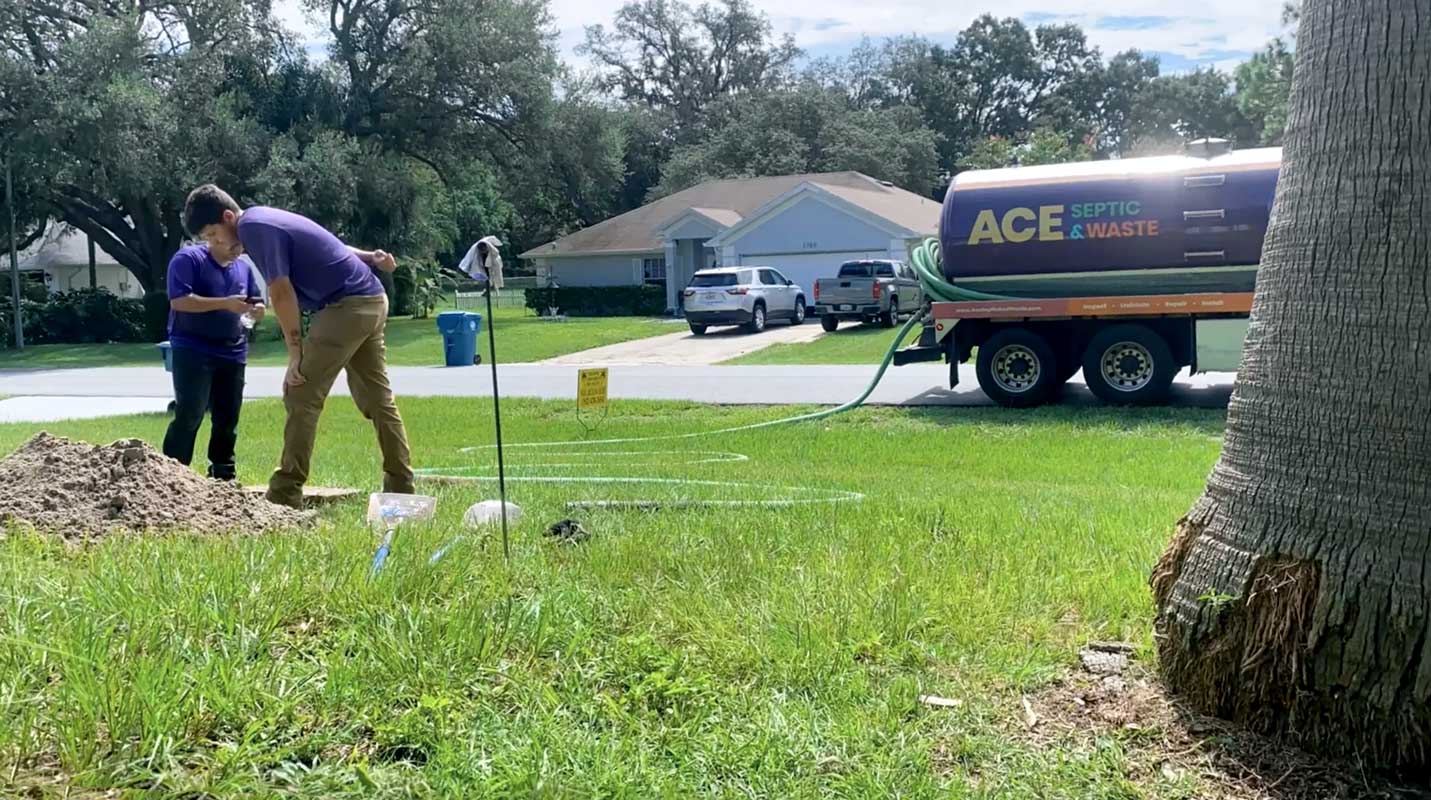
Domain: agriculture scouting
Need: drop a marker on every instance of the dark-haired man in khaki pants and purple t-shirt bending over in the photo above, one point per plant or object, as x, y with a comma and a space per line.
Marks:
307, 268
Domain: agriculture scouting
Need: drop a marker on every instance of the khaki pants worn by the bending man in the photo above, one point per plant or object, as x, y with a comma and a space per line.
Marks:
344, 336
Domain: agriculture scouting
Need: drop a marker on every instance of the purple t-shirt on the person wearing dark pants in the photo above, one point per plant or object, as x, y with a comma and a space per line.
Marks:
214, 333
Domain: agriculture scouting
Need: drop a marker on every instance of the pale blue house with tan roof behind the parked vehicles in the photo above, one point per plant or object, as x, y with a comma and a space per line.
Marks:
804, 225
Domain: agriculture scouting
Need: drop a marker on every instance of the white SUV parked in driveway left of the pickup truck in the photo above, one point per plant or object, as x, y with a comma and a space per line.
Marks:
742, 296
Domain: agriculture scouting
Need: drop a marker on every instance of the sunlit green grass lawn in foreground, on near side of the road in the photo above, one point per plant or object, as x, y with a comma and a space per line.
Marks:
706, 652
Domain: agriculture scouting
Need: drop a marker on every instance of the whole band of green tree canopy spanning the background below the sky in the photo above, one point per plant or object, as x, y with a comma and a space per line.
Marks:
424, 125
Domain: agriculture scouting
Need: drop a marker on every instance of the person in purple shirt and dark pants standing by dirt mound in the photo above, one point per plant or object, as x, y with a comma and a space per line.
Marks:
208, 351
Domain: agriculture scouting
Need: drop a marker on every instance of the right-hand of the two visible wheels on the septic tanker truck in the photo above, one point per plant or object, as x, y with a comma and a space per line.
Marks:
1130, 366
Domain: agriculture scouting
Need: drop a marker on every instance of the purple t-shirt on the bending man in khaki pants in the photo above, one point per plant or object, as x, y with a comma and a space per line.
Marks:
320, 267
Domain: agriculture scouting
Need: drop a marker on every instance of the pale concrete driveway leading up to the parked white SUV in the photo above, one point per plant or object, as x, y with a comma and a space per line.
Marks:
688, 350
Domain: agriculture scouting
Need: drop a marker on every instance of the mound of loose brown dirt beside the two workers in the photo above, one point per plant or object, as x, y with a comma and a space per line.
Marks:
84, 492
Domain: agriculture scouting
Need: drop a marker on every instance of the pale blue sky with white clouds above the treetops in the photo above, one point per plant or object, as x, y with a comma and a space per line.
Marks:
1184, 35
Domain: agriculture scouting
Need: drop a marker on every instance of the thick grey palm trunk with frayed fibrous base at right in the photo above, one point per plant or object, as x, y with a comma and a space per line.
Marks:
1296, 596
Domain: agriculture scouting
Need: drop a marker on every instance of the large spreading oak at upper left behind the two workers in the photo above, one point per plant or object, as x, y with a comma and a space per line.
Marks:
115, 109
